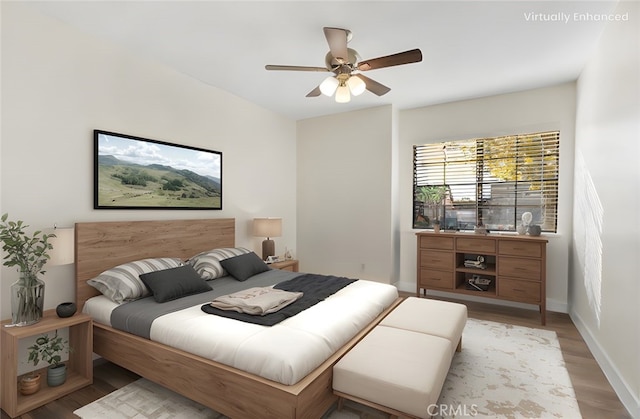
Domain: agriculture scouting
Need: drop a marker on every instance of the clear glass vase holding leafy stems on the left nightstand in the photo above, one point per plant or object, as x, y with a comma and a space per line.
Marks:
27, 300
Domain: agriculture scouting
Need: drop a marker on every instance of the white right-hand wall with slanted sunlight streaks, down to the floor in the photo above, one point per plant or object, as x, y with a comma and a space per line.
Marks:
605, 292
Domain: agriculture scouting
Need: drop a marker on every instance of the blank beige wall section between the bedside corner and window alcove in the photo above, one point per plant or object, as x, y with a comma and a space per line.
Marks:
345, 174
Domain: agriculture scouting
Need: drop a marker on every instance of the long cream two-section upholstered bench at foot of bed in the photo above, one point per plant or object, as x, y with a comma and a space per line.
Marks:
401, 365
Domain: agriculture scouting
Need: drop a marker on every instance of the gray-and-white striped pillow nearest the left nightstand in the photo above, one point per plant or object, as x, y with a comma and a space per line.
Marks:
123, 283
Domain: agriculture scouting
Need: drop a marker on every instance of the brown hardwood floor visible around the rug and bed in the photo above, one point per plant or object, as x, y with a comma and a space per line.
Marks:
595, 395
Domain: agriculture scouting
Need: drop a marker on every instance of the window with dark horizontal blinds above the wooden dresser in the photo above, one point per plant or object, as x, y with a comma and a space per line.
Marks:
487, 181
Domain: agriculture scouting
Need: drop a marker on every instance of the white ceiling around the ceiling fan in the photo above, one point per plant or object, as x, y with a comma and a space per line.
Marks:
470, 48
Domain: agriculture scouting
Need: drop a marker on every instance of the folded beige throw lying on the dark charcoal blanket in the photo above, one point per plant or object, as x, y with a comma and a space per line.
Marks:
256, 301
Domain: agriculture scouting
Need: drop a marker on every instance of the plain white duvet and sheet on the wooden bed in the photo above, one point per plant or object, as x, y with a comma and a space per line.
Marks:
285, 352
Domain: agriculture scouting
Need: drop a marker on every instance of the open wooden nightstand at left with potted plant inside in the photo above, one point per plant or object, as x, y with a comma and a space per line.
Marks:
79, 365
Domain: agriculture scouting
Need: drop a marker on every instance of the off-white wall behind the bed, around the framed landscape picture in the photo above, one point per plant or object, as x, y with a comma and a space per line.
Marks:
58, 85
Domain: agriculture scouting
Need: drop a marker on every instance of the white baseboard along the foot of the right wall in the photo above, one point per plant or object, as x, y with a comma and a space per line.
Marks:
620, 386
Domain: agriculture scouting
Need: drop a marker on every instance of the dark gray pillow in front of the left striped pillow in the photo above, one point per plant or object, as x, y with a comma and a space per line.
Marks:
170, 284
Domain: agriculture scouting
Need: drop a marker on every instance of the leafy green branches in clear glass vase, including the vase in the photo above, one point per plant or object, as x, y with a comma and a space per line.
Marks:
28, 253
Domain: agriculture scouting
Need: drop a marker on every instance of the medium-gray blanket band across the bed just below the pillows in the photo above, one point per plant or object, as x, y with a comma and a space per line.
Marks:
136, 317
